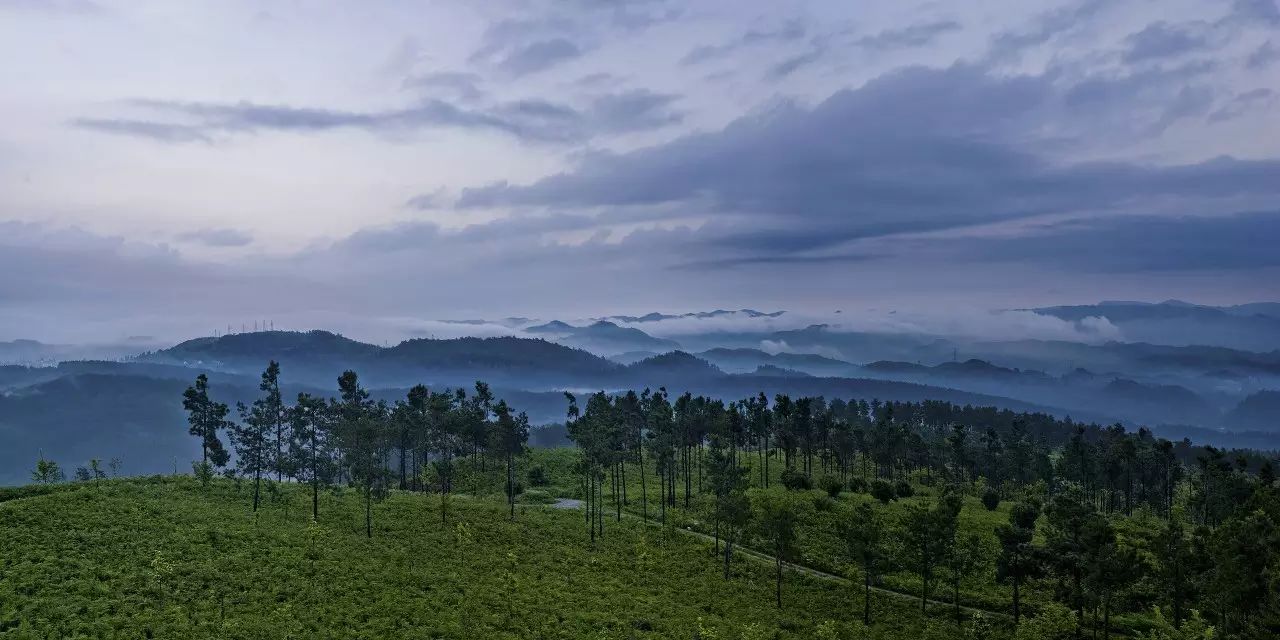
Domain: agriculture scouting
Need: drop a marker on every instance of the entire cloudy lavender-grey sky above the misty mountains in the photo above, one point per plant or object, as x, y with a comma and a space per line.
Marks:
170, 170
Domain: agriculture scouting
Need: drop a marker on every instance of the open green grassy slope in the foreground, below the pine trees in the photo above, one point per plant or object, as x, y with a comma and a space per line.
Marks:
171, 559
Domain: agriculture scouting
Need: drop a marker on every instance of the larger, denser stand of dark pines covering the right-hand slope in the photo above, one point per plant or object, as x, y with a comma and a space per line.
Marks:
1213, 552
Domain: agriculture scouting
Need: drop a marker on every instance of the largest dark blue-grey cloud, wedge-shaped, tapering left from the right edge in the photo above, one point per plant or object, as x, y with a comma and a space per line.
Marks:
879, 161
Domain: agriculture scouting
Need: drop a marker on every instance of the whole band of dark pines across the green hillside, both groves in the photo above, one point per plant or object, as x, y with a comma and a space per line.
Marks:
1002, 523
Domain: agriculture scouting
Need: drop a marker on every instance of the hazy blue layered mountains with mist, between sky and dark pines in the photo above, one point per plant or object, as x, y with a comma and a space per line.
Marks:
80, 403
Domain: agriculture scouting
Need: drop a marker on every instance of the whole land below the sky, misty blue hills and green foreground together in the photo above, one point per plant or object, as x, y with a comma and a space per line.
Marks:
820, 482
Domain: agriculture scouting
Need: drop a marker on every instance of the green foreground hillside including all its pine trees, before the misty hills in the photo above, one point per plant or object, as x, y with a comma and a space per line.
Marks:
844, 519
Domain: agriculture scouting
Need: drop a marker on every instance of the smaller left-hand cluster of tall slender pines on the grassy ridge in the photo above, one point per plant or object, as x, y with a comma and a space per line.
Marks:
354, 441
